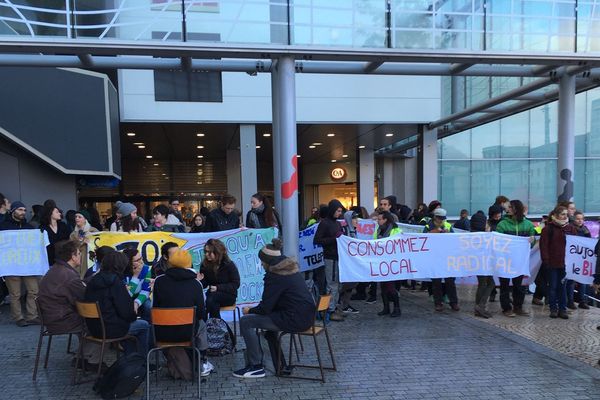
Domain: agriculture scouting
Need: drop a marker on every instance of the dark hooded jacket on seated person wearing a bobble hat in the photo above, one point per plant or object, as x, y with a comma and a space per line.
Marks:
286, 298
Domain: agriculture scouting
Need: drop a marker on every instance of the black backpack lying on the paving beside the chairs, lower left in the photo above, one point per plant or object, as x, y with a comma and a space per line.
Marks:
122, 378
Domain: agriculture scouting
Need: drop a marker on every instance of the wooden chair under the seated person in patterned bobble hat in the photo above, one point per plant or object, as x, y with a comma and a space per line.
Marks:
313, 331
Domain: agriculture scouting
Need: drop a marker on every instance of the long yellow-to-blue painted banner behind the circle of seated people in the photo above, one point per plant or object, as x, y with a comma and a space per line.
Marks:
242, 246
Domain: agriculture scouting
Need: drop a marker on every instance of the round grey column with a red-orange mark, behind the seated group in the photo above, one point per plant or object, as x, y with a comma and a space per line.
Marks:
288, 161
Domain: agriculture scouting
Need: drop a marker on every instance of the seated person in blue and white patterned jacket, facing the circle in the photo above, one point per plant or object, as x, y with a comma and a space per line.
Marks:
138, 281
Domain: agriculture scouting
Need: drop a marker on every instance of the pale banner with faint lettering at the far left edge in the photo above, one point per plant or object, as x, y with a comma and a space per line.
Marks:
23, 253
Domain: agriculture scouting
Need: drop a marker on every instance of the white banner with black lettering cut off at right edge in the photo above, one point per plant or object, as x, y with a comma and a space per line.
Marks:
580, 259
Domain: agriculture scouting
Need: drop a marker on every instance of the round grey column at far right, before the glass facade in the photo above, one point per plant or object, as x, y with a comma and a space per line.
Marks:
566, 138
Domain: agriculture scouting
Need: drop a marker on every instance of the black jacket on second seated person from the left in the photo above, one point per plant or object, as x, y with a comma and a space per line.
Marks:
115, 304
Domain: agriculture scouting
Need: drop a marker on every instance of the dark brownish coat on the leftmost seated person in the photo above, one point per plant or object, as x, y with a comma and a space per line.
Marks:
59, 289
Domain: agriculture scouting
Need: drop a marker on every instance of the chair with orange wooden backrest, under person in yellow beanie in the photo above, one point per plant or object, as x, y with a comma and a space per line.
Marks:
174, 317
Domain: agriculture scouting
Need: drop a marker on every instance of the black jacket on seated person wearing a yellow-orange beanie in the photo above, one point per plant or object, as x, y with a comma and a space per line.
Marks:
178, 287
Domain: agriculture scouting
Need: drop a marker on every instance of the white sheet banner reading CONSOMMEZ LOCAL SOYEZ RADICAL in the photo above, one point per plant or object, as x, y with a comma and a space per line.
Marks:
419, 256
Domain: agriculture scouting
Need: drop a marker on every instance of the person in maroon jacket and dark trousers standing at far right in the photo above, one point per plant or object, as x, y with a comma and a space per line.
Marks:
552, 251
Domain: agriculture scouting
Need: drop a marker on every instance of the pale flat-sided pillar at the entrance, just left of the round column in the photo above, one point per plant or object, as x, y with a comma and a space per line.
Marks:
247, 166
